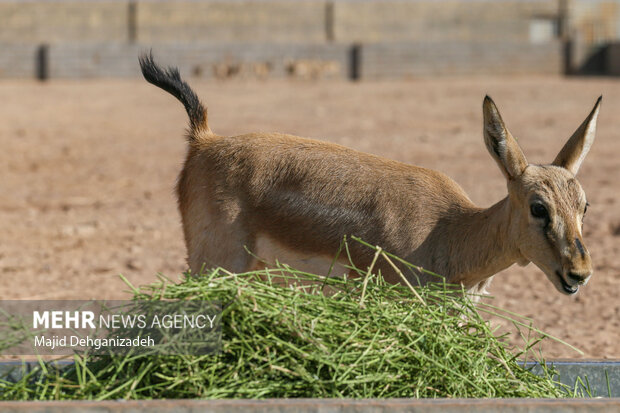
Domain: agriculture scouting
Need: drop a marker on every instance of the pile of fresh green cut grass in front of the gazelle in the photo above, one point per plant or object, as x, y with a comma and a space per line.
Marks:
315, 338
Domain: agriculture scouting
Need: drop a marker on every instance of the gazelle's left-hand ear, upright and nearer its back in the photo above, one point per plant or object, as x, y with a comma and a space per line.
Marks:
500, 143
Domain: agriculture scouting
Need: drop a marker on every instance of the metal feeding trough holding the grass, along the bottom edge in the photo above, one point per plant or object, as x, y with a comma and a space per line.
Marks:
598, 378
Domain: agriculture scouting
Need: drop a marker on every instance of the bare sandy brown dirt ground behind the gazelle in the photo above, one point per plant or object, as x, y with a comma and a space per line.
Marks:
88, 169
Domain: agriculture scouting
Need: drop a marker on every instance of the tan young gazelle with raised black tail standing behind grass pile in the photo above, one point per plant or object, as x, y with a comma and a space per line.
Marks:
293, 199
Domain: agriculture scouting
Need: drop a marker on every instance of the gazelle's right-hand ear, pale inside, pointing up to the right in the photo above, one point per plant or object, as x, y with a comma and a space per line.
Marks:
575, 150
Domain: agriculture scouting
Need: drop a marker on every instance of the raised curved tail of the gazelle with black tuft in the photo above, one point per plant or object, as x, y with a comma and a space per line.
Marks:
170, 81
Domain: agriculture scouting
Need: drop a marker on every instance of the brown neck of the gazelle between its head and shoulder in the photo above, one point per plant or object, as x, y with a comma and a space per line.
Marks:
481, 243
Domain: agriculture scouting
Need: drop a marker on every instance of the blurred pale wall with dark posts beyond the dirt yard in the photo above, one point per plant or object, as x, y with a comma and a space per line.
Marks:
355, 39
